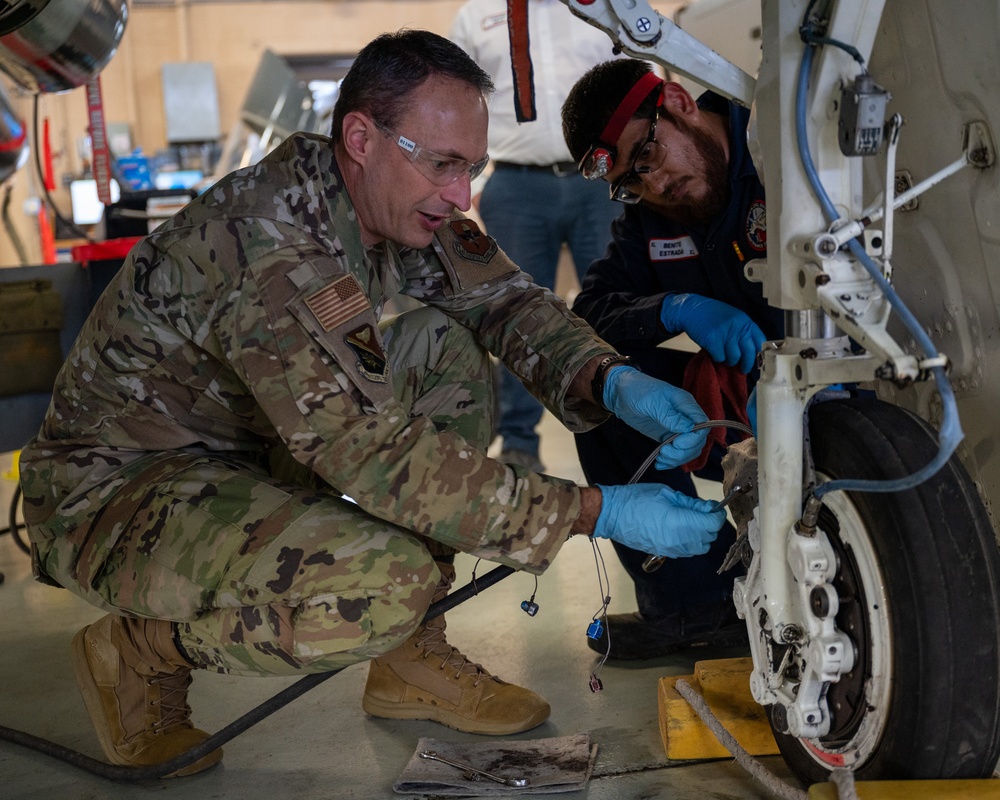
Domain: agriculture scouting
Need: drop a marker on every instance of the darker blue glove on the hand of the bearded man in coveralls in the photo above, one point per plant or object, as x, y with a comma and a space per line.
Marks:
729, 335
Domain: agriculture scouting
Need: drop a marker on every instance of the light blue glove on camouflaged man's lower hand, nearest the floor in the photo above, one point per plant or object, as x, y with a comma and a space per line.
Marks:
658, 520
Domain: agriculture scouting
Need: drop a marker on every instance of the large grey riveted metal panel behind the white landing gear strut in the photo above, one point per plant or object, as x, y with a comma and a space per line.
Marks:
939, 63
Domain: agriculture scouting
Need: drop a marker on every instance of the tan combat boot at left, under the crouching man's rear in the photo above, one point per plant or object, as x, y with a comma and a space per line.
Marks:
134, 682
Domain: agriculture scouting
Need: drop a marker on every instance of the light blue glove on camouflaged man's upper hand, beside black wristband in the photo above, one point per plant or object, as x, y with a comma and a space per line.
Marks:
657, 410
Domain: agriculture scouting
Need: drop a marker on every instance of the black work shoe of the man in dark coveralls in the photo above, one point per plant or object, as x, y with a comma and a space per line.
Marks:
633, 637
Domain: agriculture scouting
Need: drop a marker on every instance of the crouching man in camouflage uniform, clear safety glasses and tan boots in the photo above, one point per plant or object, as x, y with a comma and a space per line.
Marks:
255, 474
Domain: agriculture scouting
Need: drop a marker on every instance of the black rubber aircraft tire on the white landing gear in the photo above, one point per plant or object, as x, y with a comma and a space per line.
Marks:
940, 566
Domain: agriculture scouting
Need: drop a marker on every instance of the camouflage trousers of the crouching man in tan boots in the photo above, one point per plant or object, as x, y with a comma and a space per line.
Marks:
269, 576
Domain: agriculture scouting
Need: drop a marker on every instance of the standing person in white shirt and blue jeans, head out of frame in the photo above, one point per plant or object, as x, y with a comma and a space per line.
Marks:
535, 200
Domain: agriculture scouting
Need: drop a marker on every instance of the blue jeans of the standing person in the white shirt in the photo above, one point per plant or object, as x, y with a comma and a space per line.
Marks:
531, 213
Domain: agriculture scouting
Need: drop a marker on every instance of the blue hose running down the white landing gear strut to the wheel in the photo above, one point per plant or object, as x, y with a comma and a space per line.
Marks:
951, 432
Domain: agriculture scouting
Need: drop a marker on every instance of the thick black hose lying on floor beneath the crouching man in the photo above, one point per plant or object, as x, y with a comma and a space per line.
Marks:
248, 720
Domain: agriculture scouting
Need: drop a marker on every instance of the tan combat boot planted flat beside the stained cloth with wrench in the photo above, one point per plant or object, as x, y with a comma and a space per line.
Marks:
427, 678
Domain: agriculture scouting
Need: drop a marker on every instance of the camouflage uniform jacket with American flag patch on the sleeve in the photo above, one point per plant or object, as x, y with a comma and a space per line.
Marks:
250, 320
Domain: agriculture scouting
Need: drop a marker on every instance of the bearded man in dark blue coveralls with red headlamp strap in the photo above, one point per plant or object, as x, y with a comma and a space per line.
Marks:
694, 215
